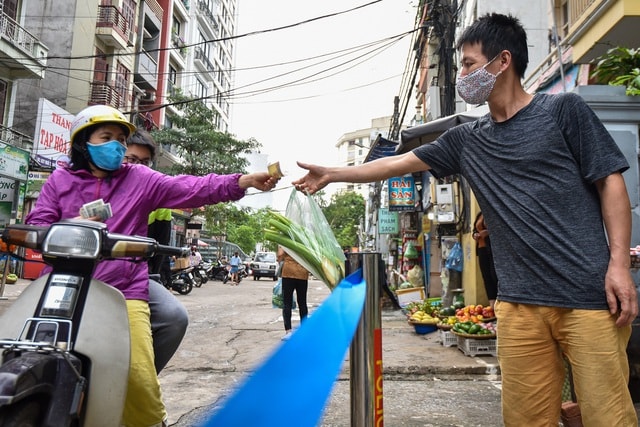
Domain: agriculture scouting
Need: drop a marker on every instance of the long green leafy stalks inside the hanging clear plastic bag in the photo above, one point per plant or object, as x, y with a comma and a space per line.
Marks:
309, 250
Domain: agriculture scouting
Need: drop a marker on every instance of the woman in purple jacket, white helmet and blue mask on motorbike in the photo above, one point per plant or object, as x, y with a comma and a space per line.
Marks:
98, 143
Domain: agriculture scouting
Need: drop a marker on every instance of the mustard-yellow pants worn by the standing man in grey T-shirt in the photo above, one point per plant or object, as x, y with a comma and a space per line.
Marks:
531, 340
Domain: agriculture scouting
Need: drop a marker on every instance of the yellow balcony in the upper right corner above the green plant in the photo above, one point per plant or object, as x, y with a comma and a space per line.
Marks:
595, 26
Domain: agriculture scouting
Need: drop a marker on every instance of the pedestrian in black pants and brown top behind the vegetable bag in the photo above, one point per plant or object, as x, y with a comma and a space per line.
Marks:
294, 278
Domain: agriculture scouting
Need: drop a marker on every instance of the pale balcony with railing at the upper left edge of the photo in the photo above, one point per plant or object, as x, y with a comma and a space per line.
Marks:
23, 56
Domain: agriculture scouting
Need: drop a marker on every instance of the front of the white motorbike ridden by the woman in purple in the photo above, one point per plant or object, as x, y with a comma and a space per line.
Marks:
67, 362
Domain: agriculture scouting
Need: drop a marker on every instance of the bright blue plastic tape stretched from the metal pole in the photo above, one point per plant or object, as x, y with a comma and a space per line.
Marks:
292, 386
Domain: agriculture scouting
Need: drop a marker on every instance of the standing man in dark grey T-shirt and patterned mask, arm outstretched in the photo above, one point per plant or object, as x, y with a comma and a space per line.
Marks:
560, 218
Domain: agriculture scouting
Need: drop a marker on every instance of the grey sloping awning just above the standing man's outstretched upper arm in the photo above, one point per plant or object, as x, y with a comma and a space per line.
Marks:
429, 132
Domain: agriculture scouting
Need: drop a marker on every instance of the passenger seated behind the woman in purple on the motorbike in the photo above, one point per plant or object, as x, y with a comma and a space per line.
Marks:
169, 318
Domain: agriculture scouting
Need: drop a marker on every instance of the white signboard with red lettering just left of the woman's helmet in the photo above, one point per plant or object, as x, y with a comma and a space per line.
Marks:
51, 139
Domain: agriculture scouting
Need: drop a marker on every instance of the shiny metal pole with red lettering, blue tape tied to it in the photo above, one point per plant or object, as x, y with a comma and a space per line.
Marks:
365, 356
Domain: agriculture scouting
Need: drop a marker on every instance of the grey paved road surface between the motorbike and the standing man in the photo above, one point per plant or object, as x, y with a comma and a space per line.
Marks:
233, 328
